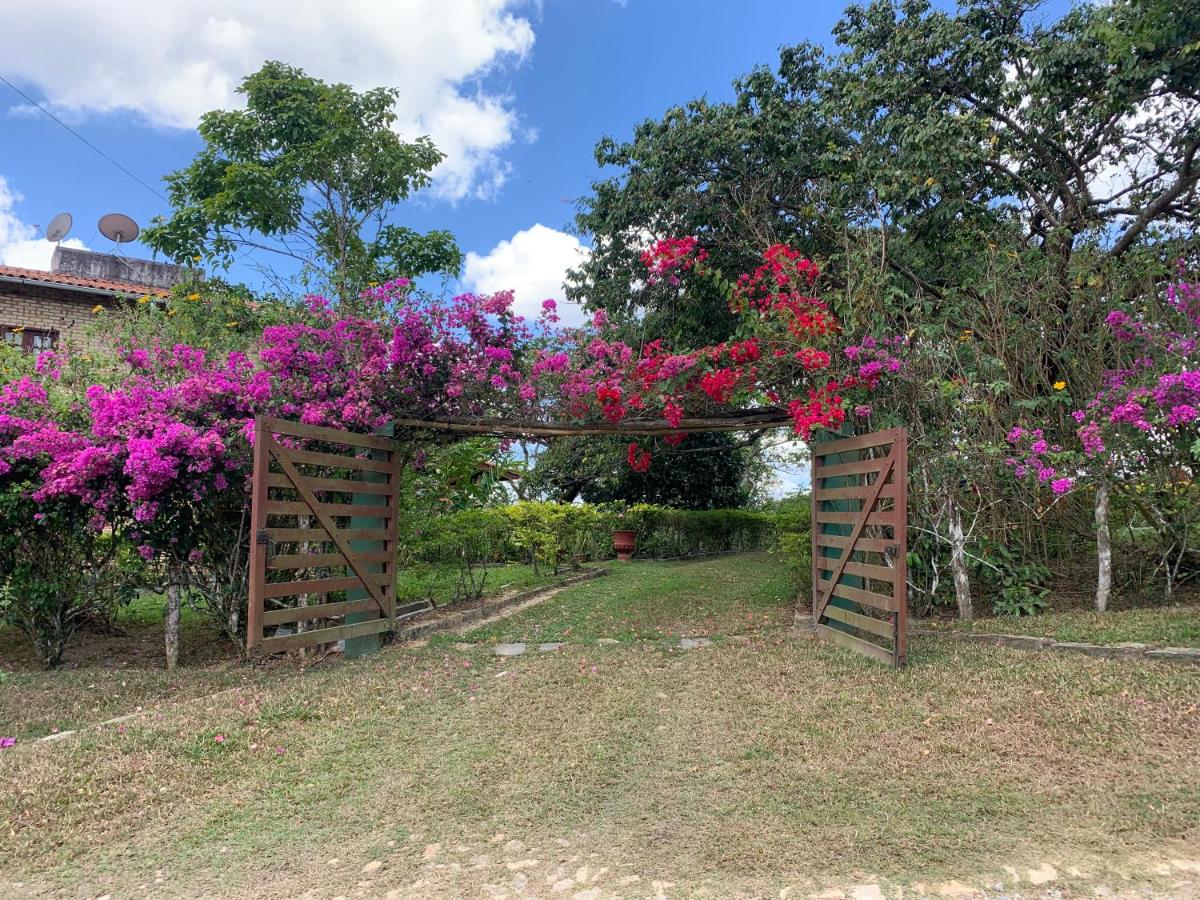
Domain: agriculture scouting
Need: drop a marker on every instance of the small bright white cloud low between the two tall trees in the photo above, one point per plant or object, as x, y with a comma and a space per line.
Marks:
533, 265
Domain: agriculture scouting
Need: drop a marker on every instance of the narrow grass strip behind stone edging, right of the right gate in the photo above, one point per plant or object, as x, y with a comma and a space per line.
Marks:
1160, 626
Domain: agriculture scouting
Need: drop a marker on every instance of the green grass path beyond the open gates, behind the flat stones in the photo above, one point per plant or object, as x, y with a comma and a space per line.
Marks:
653, 601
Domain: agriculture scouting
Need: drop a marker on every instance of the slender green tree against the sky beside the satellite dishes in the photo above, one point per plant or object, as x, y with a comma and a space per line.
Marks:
310, 172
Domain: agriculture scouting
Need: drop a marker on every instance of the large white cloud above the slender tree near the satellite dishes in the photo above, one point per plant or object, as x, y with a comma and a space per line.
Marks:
171, 62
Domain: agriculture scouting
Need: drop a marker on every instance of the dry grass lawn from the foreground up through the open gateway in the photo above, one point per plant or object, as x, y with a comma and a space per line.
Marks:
742, 769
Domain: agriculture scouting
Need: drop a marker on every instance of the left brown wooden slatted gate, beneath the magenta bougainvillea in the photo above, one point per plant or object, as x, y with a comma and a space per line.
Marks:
323, 562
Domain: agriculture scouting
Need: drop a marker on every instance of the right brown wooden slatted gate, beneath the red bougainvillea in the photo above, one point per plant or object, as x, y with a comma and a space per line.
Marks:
860, 543
